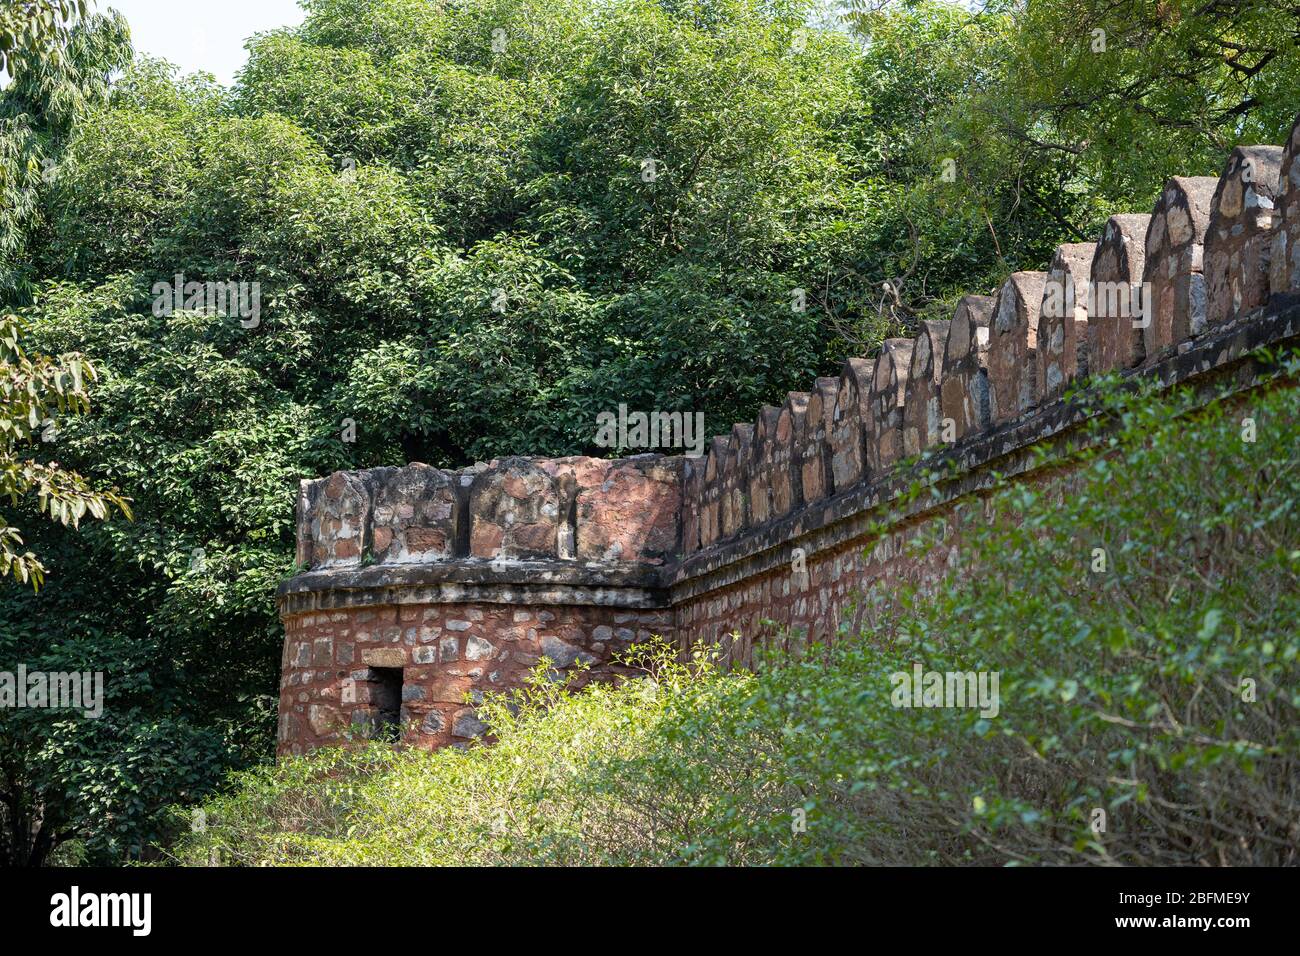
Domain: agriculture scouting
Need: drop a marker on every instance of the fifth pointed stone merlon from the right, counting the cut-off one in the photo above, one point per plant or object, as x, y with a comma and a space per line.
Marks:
1063, 340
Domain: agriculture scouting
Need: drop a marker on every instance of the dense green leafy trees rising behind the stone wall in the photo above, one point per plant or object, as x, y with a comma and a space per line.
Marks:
474, 227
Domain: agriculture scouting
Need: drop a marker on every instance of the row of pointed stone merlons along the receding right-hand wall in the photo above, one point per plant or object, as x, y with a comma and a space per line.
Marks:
1211, 253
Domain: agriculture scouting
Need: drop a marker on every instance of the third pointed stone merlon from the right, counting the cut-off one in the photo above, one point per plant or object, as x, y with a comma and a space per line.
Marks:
1176, 249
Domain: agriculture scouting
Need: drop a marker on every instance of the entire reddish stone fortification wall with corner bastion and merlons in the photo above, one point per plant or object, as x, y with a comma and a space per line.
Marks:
423, 589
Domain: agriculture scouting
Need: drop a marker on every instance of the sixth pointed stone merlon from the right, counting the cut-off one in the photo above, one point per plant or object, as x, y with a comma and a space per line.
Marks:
1013, 347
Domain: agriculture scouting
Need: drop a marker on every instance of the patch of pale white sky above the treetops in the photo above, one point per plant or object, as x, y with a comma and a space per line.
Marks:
202, 34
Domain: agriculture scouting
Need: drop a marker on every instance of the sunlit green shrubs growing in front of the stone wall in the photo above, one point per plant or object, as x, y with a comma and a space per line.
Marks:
1158, 686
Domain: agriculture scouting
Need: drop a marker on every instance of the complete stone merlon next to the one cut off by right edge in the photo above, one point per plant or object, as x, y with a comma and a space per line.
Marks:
1240, 240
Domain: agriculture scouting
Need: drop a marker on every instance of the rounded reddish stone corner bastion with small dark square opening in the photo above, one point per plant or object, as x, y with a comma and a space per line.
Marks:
423, 589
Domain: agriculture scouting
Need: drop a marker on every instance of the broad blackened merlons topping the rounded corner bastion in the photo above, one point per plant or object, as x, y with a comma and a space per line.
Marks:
512, 509
